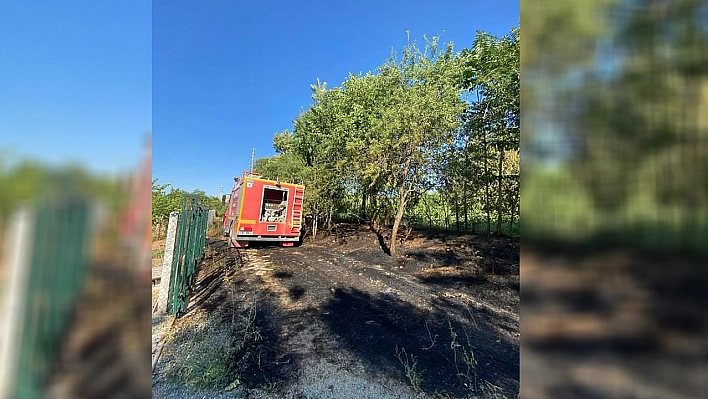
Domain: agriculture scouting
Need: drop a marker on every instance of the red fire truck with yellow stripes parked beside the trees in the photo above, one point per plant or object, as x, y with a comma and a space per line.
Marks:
263, 210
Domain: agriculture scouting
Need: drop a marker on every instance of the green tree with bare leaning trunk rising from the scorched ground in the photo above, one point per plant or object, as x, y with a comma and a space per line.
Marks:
424, 117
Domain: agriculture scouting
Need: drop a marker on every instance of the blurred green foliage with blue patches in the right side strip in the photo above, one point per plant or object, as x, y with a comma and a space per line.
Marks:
615, 144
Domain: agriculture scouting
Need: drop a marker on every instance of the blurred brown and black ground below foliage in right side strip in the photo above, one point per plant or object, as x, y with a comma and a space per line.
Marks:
613, 324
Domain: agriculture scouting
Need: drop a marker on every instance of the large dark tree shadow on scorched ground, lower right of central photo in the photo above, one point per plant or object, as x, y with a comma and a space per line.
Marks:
376, 327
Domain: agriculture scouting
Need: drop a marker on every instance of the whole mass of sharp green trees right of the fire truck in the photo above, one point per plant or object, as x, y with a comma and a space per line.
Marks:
430, 123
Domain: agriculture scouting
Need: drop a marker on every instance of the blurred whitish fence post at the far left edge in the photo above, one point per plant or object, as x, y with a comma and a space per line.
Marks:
17, 254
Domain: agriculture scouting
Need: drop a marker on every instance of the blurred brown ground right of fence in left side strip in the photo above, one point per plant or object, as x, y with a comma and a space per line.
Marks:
104, 353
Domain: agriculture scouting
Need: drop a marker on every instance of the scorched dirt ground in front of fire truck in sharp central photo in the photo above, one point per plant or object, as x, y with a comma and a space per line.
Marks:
338, 318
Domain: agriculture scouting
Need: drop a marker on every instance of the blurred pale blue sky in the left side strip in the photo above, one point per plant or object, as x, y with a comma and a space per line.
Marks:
76, 81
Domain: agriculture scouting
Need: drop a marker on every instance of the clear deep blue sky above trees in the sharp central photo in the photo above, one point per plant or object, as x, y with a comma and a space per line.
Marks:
228, 75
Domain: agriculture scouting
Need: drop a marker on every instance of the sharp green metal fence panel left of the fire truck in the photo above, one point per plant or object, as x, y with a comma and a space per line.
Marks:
189, 249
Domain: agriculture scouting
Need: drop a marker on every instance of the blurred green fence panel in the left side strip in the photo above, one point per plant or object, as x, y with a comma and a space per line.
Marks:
57, 268
